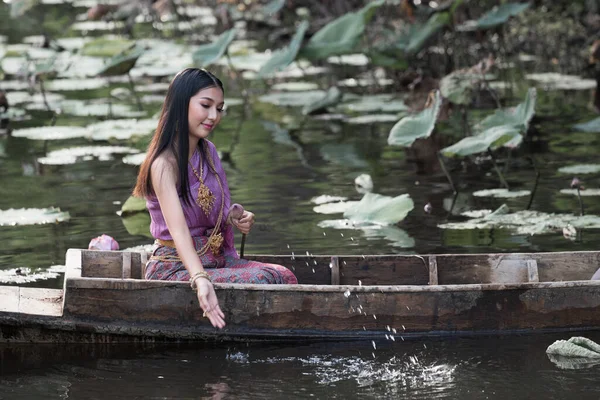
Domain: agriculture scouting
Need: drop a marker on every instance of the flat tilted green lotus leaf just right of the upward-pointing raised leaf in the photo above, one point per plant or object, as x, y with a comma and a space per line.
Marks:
489, 139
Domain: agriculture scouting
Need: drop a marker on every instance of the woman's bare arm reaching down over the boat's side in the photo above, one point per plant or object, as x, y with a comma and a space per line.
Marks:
164, 177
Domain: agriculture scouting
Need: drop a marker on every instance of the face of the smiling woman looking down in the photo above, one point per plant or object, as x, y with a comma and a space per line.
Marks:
205, 111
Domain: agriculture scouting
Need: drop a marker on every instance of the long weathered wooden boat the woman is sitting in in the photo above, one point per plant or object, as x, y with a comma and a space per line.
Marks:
341, 297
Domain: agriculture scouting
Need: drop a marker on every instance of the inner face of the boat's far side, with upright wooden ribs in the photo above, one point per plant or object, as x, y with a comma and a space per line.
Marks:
392, 269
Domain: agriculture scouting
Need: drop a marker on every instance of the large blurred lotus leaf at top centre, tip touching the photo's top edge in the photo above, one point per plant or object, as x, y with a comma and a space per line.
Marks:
341, 35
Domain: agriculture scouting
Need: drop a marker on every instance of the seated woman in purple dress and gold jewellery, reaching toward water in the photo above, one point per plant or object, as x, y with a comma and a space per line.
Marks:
188, 198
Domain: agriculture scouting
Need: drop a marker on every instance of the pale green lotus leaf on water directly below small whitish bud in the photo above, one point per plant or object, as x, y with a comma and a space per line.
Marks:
379, 209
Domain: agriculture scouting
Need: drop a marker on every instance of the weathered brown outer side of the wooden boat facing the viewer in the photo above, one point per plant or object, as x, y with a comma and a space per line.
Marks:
327, 311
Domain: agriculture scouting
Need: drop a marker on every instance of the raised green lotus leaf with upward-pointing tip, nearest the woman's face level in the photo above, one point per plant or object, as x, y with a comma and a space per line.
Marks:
417, 126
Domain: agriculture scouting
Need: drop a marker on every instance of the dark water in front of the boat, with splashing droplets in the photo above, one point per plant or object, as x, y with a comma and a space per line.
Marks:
483, 368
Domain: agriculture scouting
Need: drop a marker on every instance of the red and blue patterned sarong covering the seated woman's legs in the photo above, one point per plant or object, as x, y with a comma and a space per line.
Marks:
221, 268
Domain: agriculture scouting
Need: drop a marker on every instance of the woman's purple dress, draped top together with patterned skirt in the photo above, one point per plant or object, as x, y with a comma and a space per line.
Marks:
224, 266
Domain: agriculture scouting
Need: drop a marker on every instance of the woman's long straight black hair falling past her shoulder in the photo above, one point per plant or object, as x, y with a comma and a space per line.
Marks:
173, 128
